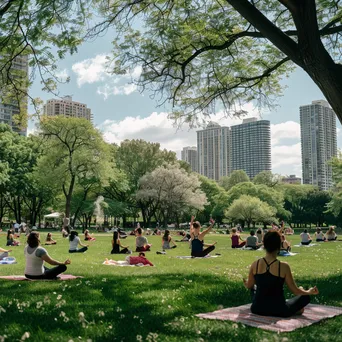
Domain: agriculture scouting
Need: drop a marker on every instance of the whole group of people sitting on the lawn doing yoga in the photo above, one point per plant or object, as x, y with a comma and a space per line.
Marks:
266, 276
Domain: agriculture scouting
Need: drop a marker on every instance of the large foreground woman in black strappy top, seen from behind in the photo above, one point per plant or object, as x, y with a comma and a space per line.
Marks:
268, 276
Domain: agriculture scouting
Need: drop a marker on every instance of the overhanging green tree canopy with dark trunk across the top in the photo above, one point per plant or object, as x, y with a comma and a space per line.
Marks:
199, 55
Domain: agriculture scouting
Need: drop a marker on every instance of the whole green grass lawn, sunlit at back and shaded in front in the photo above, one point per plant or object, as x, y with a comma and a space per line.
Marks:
156, 303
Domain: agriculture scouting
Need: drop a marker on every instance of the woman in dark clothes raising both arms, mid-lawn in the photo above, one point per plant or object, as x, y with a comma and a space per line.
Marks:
197, 237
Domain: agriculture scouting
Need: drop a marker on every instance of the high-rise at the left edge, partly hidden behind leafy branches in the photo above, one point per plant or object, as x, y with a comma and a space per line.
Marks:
8, 111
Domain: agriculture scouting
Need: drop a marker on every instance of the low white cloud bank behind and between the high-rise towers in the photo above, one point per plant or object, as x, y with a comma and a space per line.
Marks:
286, 159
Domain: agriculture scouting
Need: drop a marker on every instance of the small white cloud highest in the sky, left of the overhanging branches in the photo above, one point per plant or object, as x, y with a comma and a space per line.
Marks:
97, 69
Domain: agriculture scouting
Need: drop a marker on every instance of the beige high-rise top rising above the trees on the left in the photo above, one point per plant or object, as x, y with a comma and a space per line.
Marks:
68, 108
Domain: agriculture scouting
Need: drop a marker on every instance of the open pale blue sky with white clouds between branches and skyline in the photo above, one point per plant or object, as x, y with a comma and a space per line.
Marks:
121, 112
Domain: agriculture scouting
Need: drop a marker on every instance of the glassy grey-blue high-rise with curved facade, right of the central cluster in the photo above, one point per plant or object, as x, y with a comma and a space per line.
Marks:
251, 146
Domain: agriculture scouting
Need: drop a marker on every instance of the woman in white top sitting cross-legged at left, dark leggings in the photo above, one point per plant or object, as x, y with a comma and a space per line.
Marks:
35, 256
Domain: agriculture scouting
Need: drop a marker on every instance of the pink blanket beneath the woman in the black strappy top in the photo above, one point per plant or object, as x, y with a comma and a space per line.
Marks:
242, 314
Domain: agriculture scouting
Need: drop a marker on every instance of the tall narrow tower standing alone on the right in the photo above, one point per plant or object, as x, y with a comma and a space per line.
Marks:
319, 143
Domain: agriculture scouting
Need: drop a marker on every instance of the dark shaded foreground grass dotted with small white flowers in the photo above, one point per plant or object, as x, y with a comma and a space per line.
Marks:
119, 308
